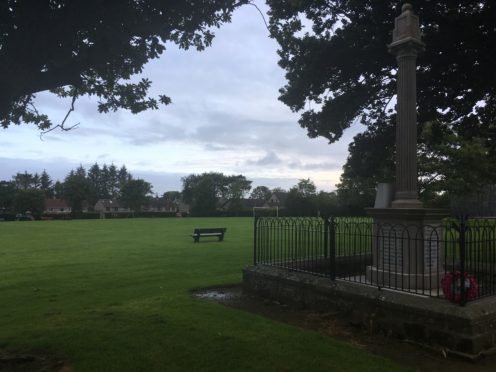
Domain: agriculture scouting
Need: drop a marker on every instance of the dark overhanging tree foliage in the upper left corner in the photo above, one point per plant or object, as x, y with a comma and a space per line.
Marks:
93, 47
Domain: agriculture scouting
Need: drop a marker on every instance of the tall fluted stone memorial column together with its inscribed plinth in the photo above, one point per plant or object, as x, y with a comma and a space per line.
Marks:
407, 250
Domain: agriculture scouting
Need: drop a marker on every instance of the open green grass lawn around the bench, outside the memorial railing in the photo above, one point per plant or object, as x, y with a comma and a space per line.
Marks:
114, 295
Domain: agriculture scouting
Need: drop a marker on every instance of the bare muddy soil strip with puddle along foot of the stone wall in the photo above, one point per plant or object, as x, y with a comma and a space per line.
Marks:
339, 326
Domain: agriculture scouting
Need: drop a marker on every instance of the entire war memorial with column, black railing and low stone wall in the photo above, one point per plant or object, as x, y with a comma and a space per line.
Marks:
403, 269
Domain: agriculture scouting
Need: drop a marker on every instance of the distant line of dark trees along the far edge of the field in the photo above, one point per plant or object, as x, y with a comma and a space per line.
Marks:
205, 194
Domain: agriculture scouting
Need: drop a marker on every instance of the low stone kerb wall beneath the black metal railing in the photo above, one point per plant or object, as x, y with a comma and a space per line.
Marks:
436, 322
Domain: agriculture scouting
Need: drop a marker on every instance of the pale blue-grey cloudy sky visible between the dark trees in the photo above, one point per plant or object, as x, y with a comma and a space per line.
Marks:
224, 117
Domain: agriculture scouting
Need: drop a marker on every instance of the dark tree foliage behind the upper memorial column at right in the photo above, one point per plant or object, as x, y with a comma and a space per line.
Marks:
339, 72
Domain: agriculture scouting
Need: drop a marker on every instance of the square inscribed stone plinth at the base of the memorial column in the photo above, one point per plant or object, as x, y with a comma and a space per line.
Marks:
407, 248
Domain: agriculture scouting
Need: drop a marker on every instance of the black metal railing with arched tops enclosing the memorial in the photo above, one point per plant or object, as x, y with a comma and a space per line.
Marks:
455, 259
